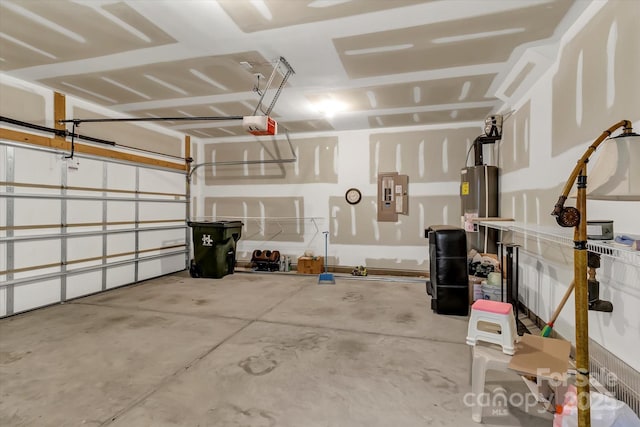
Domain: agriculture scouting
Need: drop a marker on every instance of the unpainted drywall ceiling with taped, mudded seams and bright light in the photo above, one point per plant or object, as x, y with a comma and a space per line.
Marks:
381, 63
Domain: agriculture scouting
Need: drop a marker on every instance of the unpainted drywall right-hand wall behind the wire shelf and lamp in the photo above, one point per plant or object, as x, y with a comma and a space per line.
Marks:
590, 87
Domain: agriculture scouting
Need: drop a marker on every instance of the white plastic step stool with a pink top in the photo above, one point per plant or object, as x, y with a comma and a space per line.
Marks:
493, 313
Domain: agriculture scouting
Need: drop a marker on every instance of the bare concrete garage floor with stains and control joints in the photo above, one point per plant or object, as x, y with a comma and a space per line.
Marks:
247, 350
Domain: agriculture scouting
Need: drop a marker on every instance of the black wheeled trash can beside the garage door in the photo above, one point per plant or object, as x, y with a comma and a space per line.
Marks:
214, 248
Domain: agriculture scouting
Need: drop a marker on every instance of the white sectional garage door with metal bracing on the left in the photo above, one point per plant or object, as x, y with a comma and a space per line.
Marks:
73, 227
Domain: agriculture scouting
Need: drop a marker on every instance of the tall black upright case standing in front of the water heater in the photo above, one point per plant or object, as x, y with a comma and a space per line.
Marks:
448, 282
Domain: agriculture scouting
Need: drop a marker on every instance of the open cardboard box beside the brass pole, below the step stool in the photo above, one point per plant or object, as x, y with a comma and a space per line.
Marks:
544, 364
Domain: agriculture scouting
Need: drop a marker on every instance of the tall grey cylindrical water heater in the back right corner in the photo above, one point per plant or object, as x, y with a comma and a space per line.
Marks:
479, 196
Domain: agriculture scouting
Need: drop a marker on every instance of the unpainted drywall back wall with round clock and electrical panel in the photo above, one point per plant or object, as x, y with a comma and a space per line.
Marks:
287, 206
